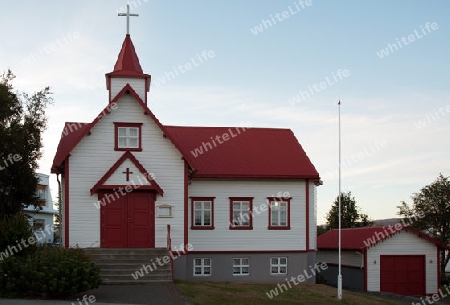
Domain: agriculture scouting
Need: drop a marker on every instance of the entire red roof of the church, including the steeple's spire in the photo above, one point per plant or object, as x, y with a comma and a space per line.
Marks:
225, 152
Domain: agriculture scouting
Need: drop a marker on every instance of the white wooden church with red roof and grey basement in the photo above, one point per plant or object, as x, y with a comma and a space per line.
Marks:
240, 202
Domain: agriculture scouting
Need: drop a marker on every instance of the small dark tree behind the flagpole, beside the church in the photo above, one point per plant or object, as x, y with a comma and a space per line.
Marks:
350, 214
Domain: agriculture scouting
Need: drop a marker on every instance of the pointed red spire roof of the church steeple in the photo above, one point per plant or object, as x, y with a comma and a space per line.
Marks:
128, 62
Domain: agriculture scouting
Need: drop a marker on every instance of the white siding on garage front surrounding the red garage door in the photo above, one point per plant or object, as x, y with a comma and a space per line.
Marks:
403, 243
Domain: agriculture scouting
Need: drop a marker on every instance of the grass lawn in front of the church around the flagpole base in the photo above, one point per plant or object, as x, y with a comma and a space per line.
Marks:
242, 293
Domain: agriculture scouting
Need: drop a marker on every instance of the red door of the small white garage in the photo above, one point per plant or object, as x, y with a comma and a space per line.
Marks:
402, 274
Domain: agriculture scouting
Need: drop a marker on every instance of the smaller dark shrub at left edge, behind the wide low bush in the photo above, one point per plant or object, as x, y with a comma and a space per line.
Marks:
16, 236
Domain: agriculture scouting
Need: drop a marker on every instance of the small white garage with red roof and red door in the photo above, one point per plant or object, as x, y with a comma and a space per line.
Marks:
397, 259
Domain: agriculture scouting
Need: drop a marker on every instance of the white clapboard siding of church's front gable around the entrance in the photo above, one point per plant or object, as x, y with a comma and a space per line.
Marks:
95, 155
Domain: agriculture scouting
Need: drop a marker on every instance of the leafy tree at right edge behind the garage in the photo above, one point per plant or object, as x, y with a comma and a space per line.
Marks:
430, 212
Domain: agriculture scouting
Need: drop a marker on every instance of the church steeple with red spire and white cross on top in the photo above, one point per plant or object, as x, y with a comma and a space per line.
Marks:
127, 69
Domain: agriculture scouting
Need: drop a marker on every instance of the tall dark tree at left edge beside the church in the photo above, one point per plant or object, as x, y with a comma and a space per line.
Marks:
22, 121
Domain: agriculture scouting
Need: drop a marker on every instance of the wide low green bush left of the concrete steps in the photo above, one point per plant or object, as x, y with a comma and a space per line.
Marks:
48, 273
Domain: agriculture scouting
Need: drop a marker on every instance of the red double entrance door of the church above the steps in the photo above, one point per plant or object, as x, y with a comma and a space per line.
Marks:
127, 220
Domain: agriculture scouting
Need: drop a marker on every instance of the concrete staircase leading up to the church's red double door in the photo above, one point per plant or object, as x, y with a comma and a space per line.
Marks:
117, 266
